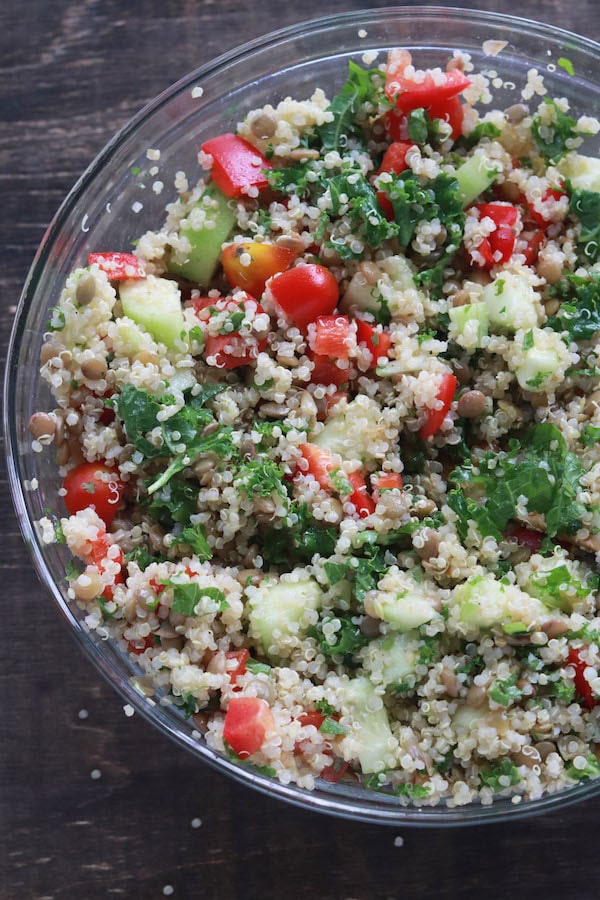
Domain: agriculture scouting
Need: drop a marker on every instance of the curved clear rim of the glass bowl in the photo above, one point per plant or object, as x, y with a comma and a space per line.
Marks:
371, 810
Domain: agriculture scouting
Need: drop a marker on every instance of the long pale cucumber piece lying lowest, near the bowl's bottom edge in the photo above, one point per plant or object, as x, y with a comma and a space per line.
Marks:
371, 730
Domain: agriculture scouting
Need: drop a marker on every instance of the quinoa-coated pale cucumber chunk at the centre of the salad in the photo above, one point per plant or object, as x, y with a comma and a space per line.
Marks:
353, 431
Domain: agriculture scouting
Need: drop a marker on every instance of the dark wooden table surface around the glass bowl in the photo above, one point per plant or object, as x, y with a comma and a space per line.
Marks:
156, 822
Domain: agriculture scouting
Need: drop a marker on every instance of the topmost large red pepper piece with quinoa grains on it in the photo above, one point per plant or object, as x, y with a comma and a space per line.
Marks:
406, 93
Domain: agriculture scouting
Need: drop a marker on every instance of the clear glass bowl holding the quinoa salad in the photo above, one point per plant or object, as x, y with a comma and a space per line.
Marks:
108, 207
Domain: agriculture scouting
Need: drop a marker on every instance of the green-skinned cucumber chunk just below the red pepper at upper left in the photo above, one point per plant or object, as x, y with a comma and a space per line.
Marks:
215, 219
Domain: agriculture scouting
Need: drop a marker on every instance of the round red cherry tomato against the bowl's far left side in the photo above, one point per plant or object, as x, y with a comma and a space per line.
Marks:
93, 485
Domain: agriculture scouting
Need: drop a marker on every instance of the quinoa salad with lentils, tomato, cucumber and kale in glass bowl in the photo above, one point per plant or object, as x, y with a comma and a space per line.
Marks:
327, 439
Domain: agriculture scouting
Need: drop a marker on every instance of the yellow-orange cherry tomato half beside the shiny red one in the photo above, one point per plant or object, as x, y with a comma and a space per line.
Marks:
265, 260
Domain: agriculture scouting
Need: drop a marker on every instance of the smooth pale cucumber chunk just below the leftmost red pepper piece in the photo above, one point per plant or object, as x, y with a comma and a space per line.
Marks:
154, 303
